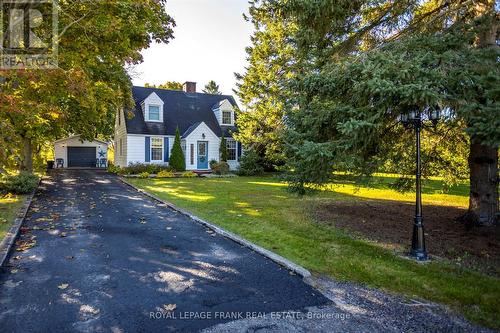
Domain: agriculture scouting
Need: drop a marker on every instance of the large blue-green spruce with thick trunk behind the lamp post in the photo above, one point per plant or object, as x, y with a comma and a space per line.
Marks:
359, 74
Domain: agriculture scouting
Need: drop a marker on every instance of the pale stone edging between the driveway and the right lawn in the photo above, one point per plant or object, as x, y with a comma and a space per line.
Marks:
260, 250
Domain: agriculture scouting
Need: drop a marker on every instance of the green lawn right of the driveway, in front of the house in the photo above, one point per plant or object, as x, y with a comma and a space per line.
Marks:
262, 211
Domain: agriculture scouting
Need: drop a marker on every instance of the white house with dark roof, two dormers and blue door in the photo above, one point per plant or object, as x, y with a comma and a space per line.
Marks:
146, 133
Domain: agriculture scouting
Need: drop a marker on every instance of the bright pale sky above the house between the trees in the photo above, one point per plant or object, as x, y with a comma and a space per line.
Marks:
209, 44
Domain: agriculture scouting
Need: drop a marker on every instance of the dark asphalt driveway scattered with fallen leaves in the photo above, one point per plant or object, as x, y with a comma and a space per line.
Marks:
95, 255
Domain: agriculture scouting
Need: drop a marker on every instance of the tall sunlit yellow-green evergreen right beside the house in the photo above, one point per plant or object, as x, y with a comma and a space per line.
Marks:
262, 88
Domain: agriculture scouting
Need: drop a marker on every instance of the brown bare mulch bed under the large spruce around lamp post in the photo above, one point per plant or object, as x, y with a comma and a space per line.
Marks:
390, 222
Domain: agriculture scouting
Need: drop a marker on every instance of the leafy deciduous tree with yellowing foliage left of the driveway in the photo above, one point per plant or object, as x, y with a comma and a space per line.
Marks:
96, 40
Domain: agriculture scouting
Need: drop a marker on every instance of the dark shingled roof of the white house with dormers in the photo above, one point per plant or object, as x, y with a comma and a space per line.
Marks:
180, 109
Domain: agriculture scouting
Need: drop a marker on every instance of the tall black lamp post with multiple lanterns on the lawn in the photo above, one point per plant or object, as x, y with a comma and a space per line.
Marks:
415, 119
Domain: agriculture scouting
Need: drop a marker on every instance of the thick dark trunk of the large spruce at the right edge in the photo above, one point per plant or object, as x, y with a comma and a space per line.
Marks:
483, 197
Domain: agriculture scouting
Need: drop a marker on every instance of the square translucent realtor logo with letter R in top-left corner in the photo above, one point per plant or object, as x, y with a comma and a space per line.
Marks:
28, 35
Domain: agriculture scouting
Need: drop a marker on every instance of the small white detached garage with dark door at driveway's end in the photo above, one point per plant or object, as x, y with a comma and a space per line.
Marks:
72, 152
